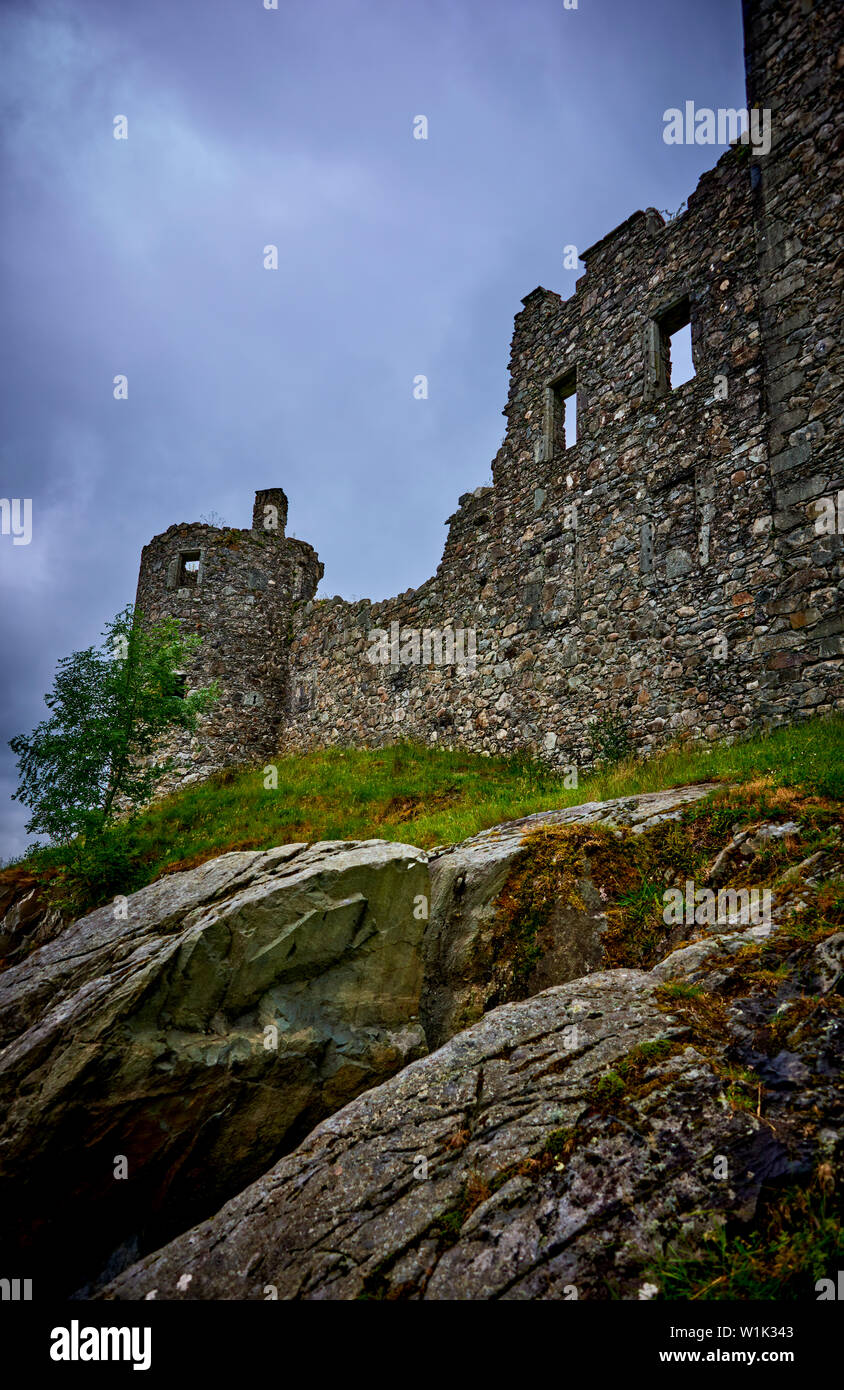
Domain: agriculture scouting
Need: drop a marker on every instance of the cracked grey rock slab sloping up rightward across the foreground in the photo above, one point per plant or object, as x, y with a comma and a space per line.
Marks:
558, 1149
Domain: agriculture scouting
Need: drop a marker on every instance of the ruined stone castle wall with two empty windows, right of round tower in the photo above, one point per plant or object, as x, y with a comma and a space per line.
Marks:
668, 566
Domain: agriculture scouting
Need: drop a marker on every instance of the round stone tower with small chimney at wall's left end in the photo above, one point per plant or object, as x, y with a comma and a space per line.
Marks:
236, 590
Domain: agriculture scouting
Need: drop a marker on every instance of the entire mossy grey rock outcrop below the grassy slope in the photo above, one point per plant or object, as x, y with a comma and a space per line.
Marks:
166, 1052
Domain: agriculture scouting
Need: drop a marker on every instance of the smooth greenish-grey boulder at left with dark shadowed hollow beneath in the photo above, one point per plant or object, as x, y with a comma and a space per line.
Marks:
165, 1050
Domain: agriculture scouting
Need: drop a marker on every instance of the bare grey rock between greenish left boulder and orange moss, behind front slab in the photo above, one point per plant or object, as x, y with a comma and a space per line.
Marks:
466, 890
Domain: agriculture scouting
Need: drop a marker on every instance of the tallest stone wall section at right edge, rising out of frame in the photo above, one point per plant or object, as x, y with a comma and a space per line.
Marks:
795, 59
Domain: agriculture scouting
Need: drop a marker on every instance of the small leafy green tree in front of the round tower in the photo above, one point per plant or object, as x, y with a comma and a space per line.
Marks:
111, 708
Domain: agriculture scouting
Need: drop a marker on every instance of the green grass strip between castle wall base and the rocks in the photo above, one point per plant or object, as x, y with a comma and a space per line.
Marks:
430, 797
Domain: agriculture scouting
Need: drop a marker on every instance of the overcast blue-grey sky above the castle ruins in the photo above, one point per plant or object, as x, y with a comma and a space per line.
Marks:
397, 256
